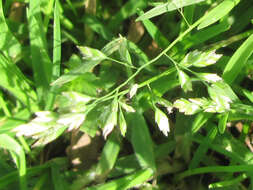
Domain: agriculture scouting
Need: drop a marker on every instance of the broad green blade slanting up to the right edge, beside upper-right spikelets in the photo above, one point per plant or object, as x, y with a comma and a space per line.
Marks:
238, 61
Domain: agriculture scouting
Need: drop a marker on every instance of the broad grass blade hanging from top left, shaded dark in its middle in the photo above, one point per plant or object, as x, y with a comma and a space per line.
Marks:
42, 66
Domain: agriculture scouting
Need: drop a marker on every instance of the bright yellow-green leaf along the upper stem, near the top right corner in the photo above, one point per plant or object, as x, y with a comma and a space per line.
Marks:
218, 12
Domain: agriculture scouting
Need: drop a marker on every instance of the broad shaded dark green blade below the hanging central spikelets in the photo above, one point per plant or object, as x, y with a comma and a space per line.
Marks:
141, 140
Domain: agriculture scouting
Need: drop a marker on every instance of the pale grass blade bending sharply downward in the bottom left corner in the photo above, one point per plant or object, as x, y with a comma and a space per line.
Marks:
12, 145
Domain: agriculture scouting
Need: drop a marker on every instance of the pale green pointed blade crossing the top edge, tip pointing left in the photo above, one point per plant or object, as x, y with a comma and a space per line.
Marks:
166, 7
